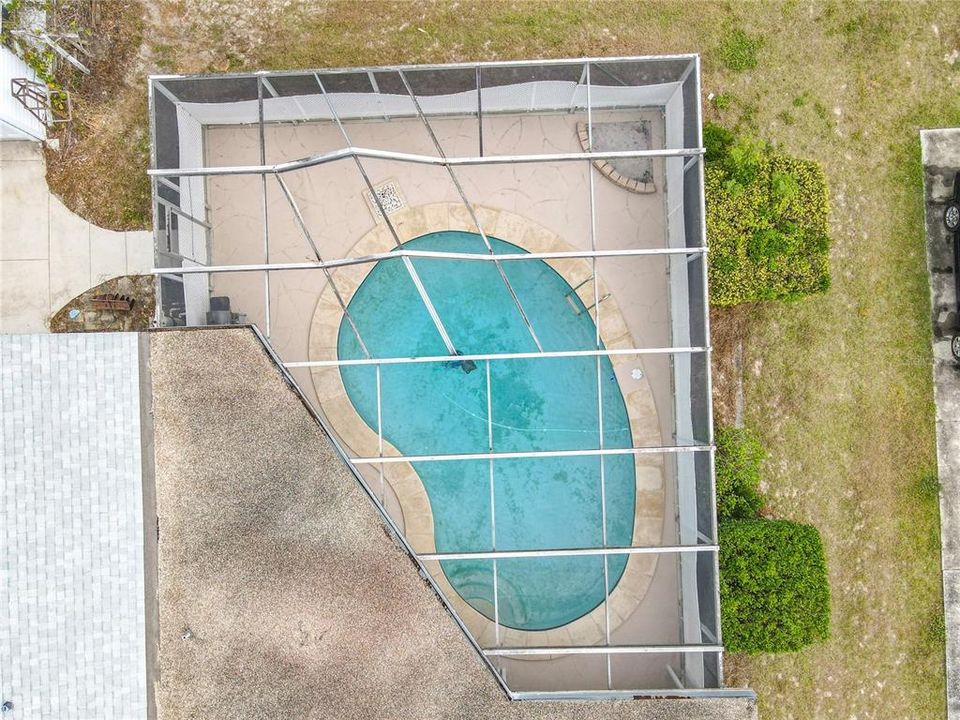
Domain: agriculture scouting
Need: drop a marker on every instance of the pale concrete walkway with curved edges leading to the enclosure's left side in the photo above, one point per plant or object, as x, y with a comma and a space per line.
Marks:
48, 255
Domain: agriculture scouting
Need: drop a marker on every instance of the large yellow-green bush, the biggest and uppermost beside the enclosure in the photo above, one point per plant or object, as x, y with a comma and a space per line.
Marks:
766, 222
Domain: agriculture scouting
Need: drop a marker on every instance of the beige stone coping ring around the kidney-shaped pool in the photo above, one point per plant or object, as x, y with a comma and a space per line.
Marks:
417, 515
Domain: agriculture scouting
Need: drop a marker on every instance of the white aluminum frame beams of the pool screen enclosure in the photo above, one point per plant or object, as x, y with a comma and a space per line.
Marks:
173, 216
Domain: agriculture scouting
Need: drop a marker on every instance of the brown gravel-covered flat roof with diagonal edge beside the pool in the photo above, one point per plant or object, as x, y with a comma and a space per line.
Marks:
281, 592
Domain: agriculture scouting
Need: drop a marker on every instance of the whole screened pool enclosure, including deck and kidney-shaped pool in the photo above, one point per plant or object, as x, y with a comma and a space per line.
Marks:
489, 282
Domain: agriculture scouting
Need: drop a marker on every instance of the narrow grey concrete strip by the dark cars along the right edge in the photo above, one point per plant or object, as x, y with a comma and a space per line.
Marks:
941, 160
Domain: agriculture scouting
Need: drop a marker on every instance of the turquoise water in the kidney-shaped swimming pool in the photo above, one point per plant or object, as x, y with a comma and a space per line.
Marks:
540, 404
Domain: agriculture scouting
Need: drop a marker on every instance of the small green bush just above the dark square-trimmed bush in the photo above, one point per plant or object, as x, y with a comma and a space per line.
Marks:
739, 454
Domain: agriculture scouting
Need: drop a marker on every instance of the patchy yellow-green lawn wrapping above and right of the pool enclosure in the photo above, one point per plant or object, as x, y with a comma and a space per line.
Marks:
840, 384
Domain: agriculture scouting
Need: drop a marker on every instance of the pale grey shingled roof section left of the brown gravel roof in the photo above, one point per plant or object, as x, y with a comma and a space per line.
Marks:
71, 528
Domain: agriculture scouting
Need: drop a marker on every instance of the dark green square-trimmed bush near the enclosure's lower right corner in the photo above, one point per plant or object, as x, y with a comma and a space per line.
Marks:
774, 594
